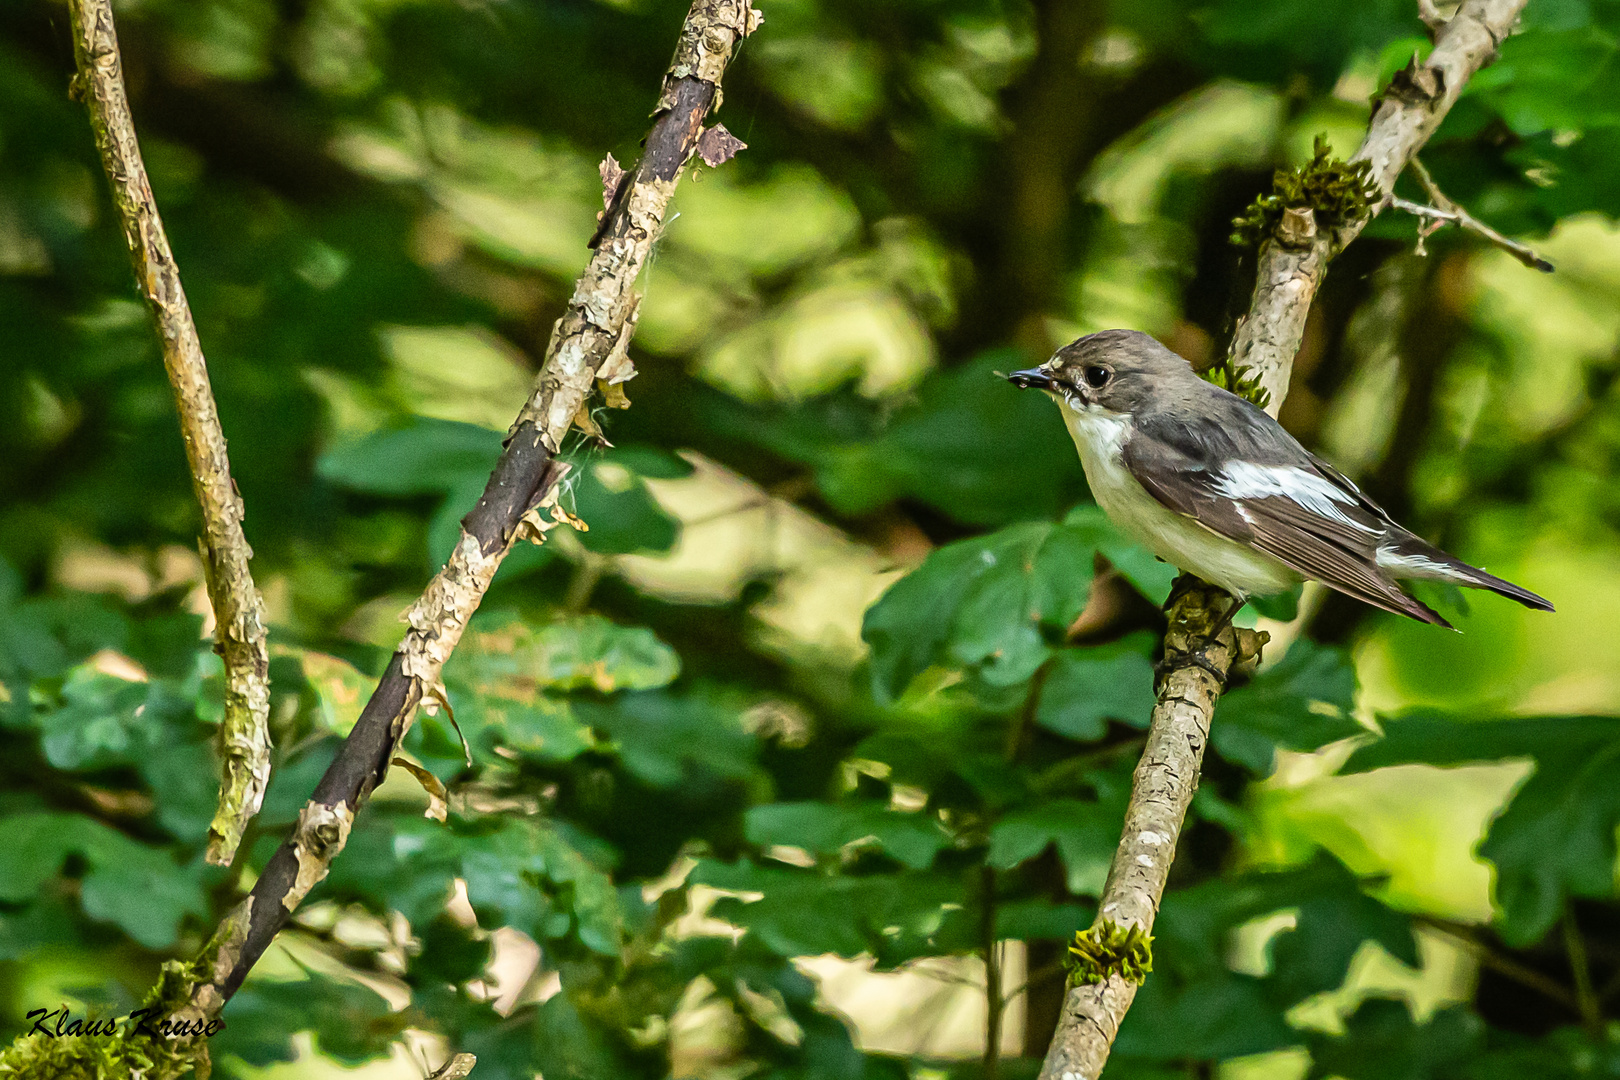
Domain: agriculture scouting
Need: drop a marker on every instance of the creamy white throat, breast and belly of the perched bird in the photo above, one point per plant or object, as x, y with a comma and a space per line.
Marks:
1175, 538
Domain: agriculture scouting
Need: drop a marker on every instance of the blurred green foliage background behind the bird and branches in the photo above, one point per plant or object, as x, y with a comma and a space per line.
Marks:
846, 681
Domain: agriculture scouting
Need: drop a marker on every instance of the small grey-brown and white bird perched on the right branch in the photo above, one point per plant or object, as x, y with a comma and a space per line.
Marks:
1216, 487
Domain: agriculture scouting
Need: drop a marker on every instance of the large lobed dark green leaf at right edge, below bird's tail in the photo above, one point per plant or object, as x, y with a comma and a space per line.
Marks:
1558, 836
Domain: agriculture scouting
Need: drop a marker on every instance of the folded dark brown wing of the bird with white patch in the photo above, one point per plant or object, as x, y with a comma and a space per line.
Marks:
1282, 504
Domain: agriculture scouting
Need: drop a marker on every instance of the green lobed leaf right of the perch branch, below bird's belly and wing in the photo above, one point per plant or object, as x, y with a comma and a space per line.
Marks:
1300, 704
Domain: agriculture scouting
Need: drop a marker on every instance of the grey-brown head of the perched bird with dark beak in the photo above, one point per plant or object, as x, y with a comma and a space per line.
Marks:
1117, 372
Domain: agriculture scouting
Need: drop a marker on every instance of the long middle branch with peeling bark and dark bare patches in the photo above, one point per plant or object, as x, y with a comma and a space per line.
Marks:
587, 344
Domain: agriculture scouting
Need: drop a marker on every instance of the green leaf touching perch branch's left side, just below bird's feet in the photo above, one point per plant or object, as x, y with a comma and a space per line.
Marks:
1089, 687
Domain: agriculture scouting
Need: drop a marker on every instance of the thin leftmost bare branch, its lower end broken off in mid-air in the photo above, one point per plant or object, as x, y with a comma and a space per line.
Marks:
239, 613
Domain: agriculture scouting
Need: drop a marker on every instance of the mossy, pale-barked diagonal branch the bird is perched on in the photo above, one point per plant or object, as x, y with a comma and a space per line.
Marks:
1292, 268
